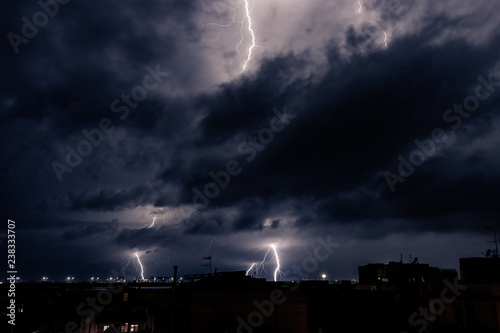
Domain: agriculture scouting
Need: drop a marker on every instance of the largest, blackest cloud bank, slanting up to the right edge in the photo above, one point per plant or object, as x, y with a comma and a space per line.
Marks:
359, 118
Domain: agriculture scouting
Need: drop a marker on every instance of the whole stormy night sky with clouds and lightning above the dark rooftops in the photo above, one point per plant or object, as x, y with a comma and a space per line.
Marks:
373, 125
